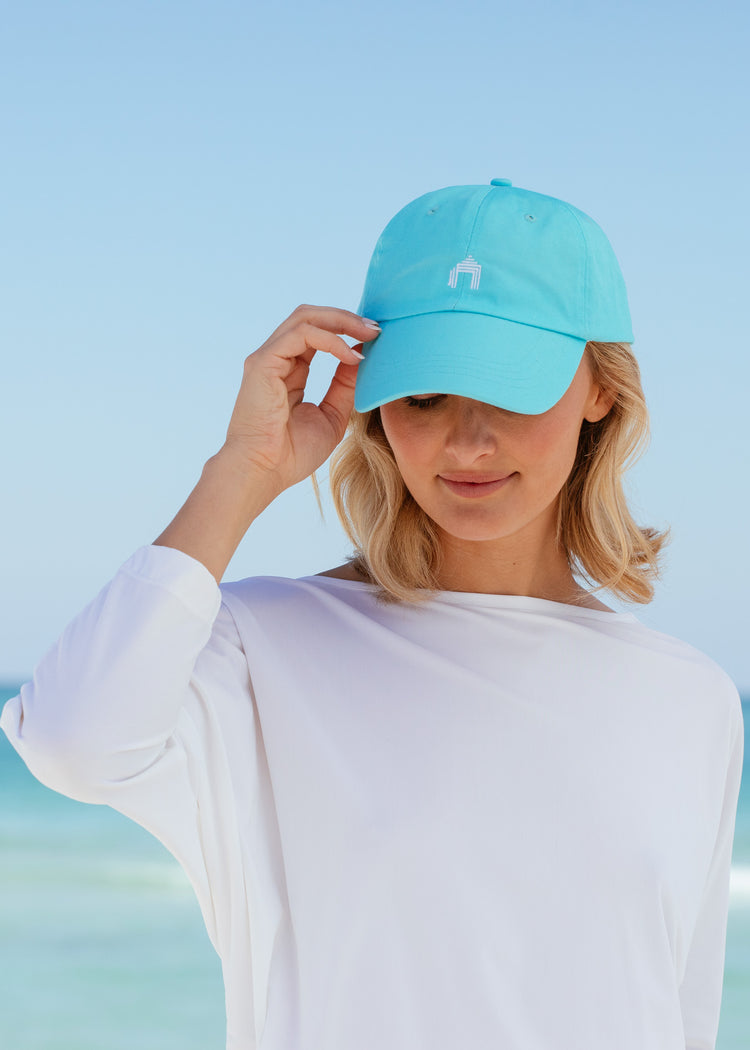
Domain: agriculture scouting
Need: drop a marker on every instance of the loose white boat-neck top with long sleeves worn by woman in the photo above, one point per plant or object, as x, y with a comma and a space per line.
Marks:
492, 822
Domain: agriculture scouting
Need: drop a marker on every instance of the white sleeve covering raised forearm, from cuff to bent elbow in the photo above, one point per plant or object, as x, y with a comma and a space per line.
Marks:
106, 701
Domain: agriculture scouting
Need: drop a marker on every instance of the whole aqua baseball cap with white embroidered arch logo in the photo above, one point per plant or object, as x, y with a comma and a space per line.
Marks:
489, 292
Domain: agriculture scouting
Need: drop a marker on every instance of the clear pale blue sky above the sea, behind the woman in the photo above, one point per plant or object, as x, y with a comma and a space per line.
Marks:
178, 177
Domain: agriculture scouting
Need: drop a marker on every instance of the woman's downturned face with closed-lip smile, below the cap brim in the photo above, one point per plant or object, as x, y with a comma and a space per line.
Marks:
483, 473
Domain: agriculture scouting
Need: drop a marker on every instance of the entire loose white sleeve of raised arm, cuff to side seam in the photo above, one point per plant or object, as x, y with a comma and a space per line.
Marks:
140, 705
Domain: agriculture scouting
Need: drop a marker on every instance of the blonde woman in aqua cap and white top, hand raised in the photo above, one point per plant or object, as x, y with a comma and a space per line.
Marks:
441, 796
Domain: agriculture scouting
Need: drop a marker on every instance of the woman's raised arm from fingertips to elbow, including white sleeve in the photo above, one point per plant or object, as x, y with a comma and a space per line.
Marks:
106, 702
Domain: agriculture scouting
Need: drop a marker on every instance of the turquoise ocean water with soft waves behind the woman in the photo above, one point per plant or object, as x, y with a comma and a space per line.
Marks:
103, 946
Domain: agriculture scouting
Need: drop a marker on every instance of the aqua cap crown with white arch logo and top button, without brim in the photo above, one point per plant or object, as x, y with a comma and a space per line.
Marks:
502, 251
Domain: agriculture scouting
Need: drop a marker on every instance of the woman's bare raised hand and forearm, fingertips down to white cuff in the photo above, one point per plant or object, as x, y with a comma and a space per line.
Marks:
275, 438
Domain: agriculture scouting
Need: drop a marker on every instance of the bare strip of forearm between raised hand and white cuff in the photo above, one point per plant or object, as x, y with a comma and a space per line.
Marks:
219, 512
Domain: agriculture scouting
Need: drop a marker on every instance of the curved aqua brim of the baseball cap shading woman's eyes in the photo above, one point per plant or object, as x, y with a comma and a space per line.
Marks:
515, 367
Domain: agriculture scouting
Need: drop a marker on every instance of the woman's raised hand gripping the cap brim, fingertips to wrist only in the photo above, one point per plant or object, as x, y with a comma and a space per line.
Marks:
274, 432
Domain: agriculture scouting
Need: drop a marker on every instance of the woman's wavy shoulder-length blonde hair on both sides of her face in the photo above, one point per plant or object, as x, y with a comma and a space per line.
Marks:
398, 544
